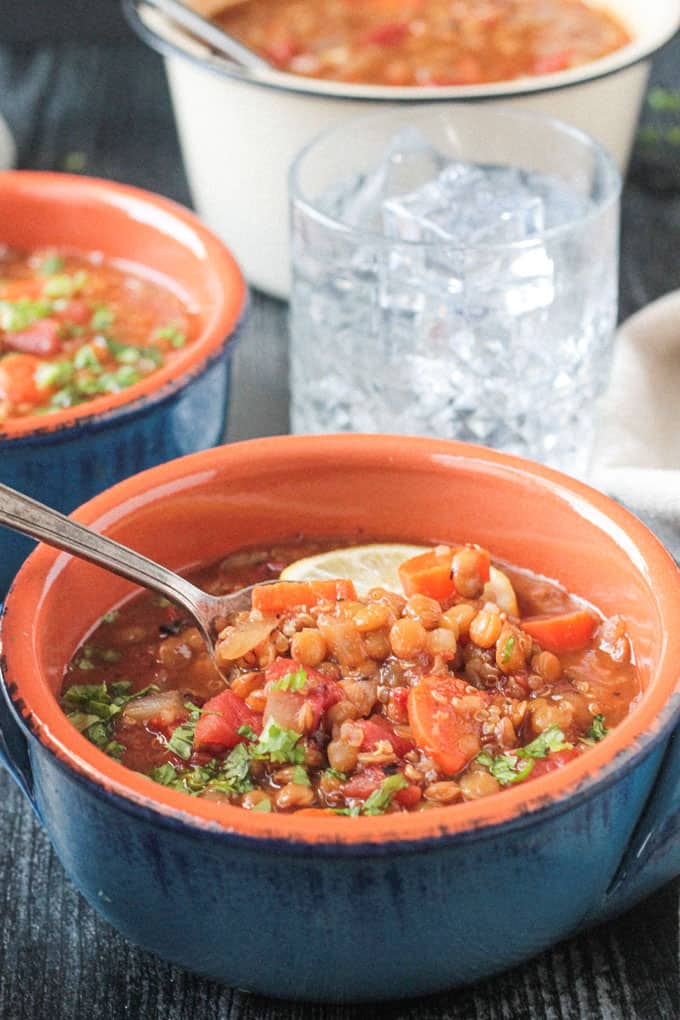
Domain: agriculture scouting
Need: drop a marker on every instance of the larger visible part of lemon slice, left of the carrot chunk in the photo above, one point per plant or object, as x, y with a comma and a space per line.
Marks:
369, 567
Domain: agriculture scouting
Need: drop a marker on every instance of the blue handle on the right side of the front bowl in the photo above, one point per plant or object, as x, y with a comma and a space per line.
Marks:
653, 856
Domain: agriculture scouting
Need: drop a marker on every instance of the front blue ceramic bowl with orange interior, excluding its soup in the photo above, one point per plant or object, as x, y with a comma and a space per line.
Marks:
338, 909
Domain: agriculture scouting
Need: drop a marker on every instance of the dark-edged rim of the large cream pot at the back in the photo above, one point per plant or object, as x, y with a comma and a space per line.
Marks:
640, 49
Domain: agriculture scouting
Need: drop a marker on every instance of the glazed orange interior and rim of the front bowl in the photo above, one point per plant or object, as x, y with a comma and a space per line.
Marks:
194, 511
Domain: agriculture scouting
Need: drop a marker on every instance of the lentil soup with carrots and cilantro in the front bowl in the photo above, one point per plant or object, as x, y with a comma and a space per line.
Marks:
475, 678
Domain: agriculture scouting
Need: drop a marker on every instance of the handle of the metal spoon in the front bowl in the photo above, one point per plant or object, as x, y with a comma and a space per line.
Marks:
24, 515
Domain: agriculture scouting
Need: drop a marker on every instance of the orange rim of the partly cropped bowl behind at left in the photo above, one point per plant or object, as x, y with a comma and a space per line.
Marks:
220, 325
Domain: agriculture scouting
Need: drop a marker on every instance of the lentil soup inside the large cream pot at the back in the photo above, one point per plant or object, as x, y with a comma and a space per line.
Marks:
425, 42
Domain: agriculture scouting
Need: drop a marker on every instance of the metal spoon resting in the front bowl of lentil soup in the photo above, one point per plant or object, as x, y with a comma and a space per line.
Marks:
24, 515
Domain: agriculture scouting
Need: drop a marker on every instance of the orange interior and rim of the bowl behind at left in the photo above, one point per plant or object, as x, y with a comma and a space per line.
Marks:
152, 235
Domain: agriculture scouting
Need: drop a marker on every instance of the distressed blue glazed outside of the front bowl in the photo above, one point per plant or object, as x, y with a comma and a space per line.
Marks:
372, 922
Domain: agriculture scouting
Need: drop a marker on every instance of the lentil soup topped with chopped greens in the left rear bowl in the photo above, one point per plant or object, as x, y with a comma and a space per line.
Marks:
75, 328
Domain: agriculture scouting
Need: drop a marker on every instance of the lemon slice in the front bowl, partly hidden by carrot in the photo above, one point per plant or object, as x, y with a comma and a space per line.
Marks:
378, 567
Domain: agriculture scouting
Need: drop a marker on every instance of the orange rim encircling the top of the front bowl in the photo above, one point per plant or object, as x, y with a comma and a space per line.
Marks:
634, 737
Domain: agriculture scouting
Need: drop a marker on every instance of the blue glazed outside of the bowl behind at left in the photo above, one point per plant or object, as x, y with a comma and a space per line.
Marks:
68, 467
